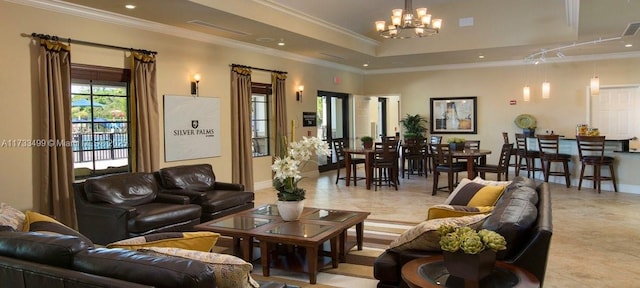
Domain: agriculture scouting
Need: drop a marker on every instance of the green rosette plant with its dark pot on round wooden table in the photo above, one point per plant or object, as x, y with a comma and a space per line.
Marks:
469, 254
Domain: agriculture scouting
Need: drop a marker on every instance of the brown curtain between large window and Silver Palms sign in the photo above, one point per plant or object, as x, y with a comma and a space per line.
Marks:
146, 129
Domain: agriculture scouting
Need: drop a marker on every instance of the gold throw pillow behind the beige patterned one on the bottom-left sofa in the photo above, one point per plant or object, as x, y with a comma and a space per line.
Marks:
199, 241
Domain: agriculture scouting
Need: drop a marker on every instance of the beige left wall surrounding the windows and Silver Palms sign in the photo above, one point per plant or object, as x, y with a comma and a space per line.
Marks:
178, 59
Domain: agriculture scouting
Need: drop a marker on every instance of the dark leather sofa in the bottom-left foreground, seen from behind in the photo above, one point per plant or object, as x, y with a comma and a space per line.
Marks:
35, 260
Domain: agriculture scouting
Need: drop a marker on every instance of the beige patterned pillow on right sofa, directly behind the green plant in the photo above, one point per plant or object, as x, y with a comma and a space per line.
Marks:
425, 236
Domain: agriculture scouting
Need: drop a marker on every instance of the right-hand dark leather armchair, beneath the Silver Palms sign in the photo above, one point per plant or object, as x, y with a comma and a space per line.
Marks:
198, 182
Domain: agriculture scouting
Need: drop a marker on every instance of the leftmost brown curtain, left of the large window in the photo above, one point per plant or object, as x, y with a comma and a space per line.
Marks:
56, 191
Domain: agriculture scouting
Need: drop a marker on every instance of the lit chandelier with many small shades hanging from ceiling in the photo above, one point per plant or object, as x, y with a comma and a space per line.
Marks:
405, 24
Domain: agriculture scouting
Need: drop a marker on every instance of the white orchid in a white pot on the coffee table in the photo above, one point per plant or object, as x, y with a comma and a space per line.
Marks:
288, 173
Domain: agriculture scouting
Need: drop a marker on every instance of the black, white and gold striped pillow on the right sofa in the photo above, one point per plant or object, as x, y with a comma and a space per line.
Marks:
469, 193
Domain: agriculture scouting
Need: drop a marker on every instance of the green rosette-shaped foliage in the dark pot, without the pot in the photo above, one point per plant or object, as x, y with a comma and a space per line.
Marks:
469, 241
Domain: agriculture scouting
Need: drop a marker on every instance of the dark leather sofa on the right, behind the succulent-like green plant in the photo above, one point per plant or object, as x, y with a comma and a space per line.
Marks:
527, 245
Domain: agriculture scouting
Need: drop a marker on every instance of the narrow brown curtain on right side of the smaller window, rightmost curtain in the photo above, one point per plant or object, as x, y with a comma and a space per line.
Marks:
279, 93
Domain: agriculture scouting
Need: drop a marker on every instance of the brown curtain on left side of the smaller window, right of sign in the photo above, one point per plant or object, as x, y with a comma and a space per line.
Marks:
242, 157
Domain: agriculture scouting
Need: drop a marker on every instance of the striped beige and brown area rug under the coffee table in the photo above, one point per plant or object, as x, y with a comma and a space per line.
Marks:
358, 269
